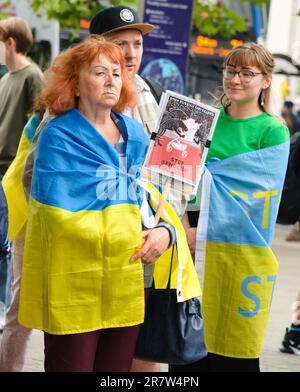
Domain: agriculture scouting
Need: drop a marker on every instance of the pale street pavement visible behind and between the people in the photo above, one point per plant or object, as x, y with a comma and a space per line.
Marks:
288, 284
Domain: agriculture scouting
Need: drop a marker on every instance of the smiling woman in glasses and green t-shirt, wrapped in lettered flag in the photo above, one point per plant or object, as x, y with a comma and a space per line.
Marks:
244, 176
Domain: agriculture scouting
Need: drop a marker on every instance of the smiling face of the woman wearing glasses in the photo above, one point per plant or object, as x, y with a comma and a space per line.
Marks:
244, 84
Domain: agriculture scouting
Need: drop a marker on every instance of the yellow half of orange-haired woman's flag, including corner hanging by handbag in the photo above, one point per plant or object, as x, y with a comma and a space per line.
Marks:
58, 290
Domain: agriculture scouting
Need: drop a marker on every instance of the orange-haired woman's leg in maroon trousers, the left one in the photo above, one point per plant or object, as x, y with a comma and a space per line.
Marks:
71, 353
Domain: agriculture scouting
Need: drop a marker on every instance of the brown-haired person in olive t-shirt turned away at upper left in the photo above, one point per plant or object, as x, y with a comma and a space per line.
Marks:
18, 87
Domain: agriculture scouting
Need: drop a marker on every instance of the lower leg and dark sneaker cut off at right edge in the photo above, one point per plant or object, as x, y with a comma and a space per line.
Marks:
291, 339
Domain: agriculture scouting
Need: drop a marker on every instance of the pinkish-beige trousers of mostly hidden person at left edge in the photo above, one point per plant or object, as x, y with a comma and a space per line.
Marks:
15, 337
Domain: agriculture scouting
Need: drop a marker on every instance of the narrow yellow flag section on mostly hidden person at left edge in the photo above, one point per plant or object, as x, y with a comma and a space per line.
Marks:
12, 185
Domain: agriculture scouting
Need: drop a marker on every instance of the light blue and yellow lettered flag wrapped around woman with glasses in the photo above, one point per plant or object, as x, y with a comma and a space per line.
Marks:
238, 212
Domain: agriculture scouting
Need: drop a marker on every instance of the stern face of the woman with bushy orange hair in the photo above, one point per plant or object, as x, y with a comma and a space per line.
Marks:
100, 83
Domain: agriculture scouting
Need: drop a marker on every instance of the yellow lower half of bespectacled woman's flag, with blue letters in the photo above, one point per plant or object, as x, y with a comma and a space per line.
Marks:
232, 304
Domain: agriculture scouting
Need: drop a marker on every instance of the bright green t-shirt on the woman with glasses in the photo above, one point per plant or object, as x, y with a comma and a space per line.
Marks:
237, 136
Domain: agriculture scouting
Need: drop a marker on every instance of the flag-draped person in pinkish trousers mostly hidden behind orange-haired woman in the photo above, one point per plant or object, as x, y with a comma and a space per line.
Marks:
15, 337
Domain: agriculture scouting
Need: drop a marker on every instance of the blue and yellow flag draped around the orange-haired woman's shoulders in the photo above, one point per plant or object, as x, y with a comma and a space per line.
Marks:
83, 228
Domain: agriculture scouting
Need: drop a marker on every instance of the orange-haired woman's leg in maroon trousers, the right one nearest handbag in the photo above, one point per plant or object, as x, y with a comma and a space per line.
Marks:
116, 349
